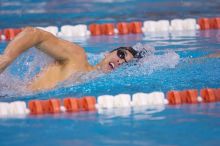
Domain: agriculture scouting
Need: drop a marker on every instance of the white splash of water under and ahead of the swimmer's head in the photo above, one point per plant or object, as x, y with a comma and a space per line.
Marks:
152, 61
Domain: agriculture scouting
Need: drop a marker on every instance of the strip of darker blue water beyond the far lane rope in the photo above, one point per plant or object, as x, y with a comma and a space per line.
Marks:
21, 13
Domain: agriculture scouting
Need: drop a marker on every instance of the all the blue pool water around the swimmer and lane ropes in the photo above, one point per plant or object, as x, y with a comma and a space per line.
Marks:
172, 65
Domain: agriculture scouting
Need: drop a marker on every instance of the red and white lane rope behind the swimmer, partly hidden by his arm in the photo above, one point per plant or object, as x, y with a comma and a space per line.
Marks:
122, 28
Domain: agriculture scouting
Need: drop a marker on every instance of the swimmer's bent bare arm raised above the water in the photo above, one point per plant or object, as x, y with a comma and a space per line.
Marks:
59, 49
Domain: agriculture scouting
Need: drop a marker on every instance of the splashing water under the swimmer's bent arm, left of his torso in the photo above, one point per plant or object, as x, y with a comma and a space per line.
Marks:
14, 79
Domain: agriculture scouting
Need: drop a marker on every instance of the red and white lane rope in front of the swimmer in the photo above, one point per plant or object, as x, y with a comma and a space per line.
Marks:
108, 102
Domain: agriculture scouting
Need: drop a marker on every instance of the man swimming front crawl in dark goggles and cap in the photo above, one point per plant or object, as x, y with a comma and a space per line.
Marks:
69, 58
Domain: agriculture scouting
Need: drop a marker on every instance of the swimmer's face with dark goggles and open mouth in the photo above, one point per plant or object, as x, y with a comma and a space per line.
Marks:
114, 59
